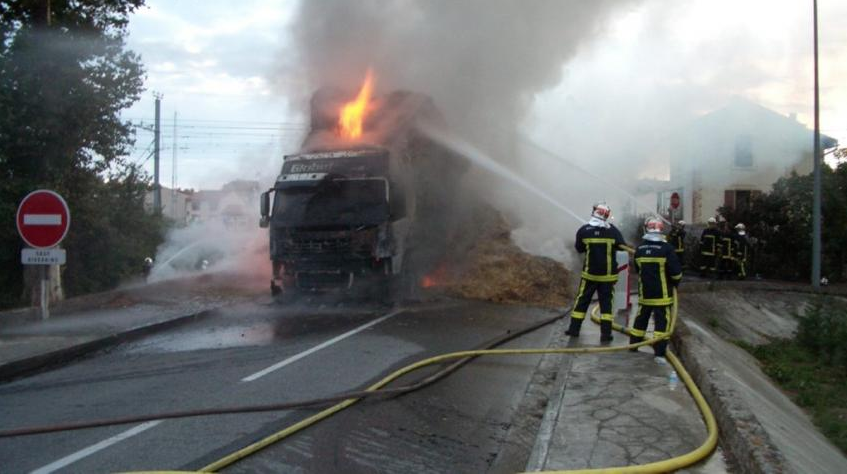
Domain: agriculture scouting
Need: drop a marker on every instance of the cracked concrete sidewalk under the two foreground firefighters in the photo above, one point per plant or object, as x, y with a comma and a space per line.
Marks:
617, 409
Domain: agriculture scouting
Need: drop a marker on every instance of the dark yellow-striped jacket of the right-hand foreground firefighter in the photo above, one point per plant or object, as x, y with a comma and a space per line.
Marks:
659, 271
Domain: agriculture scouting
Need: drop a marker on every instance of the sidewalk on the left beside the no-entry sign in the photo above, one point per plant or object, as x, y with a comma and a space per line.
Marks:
82, 325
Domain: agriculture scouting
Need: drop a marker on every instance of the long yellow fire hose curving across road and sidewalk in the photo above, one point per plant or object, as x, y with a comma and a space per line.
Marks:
667, 465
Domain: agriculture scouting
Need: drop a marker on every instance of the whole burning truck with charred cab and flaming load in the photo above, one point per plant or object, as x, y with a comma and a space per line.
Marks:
367, 203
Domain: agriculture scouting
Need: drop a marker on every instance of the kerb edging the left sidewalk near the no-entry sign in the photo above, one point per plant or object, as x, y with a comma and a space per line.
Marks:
60, 357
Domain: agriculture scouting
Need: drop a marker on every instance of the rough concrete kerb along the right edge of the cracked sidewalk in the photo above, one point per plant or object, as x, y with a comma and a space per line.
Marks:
742, 436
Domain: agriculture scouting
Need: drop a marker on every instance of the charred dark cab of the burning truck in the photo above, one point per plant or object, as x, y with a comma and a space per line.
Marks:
335, 221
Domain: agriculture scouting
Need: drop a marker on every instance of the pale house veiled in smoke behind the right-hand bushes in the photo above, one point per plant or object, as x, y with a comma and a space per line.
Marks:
726, 157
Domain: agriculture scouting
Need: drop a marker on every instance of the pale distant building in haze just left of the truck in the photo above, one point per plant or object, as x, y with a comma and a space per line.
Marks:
235, 205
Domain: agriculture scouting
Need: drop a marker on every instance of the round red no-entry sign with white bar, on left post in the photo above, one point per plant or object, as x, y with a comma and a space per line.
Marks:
43, 219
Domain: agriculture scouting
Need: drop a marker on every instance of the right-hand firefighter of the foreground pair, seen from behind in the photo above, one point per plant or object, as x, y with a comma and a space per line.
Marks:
659, 273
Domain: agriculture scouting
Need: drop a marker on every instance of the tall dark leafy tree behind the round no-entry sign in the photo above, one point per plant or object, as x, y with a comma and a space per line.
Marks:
65, 75
